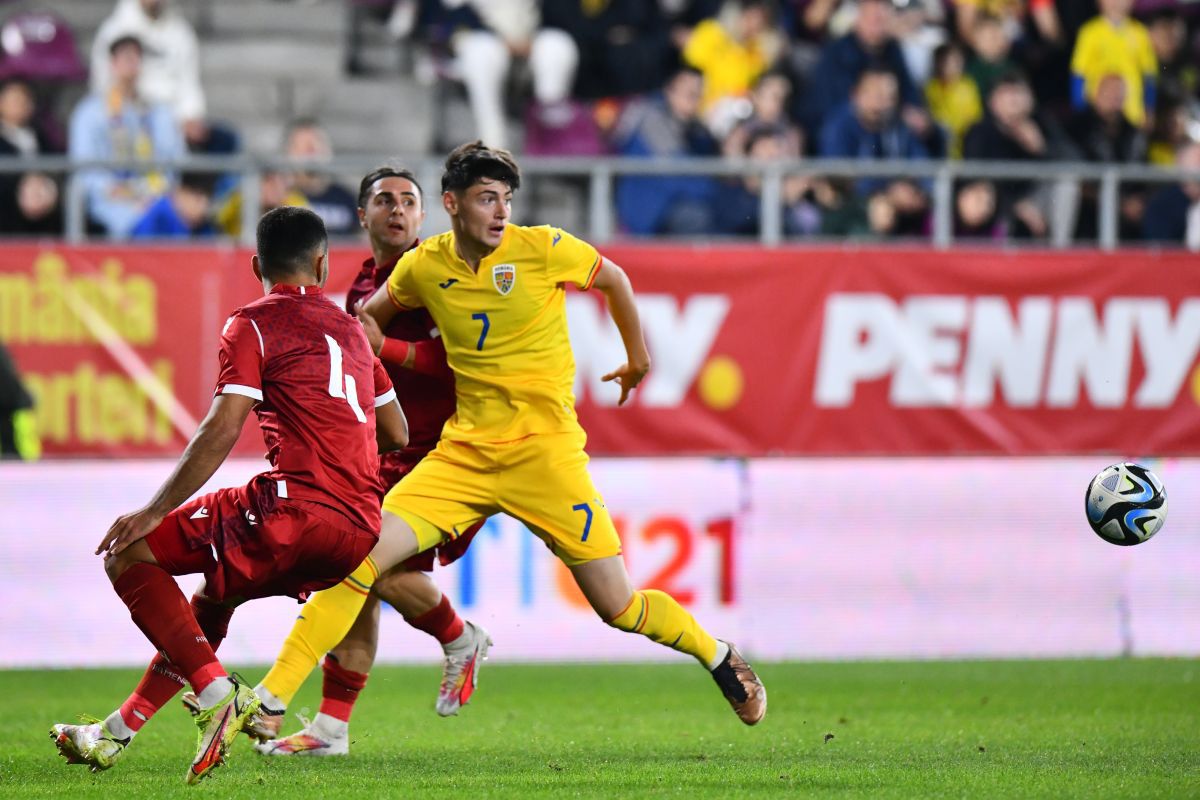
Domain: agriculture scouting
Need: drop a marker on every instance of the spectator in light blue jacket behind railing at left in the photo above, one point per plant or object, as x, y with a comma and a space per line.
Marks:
117, 124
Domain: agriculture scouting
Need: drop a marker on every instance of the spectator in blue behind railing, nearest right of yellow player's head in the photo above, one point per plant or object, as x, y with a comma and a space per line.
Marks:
668, 127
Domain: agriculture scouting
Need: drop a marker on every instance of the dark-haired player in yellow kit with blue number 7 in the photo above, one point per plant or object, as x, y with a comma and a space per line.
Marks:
496, 292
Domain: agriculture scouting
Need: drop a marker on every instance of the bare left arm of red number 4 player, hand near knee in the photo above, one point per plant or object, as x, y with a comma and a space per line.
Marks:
208, 449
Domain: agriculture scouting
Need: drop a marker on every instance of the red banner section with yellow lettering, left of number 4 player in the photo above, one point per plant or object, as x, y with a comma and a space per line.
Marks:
119, 345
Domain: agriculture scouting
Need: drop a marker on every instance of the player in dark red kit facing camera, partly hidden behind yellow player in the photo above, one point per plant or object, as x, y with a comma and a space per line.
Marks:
392, 212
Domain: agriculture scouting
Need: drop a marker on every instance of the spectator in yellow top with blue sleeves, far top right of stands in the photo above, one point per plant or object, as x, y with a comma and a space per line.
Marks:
1115, 44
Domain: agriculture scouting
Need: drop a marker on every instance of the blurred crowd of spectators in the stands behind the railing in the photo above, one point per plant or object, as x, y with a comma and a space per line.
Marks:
1111, 82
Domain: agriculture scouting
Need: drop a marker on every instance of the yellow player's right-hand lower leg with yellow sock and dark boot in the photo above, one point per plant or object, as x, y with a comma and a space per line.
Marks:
656, 615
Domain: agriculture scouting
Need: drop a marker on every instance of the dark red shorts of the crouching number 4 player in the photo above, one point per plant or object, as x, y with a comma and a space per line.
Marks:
248, 543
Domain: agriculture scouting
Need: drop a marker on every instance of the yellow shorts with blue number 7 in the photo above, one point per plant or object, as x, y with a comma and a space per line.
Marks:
542, 480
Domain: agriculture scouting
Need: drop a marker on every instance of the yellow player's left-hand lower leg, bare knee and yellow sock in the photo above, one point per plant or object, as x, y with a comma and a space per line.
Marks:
328, 616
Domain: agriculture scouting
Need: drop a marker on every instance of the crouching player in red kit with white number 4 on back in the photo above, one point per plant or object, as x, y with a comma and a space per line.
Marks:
325, 405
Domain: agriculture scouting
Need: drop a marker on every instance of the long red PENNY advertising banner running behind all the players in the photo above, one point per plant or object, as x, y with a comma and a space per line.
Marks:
757, 352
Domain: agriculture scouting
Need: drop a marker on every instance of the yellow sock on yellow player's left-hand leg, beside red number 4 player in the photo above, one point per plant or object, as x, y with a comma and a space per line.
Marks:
325, 621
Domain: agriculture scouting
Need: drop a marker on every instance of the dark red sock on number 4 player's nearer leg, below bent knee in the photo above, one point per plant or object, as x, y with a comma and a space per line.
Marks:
160, 610
